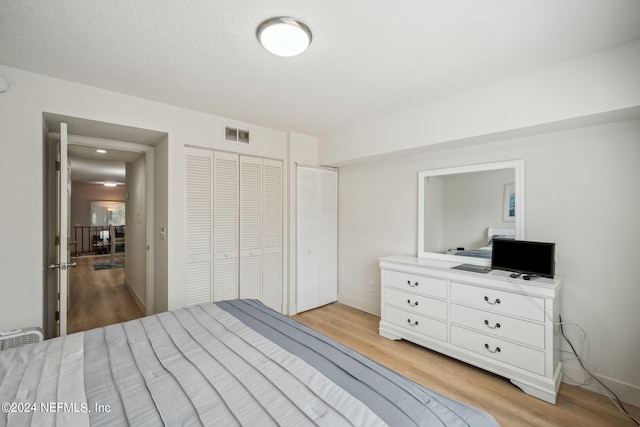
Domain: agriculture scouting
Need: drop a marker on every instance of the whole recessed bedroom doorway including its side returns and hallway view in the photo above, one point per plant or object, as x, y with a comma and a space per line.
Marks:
102, 153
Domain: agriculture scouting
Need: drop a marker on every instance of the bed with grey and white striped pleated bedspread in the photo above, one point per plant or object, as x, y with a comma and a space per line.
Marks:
228, 363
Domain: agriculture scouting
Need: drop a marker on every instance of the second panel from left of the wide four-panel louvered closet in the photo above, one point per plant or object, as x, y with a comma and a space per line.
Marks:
225, 225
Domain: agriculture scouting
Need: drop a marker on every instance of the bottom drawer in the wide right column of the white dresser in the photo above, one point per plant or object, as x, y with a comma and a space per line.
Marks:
513, 354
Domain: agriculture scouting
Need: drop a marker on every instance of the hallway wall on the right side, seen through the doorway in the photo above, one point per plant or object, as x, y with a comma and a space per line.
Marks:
136, 230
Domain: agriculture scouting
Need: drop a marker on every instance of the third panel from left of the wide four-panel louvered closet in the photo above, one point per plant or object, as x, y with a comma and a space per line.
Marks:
250, 227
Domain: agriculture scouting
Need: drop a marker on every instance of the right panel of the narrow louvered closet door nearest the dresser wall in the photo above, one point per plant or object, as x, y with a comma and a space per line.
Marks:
328, 236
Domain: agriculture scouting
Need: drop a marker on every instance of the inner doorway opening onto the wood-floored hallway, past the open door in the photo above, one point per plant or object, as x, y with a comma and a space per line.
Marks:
107, 284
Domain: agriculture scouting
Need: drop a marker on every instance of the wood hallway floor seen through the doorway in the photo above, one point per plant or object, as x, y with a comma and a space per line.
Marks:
98, 297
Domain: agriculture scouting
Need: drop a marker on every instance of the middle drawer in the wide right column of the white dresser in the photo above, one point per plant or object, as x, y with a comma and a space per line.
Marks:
498, 325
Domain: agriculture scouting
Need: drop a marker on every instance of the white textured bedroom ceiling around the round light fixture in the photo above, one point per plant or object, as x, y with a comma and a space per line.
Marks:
368, 57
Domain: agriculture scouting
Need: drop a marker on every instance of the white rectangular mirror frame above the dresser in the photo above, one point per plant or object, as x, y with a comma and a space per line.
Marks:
518, 169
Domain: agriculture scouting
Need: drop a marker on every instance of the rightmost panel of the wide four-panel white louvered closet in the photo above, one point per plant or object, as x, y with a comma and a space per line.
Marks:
272, 234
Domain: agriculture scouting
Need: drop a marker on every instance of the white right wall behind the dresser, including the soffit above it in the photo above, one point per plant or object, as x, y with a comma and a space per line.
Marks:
575, 125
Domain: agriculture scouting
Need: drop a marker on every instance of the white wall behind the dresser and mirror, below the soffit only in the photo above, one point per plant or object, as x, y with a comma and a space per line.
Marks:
581, 192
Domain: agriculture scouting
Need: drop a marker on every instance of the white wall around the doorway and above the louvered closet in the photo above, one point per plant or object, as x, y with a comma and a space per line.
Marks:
21, 159
